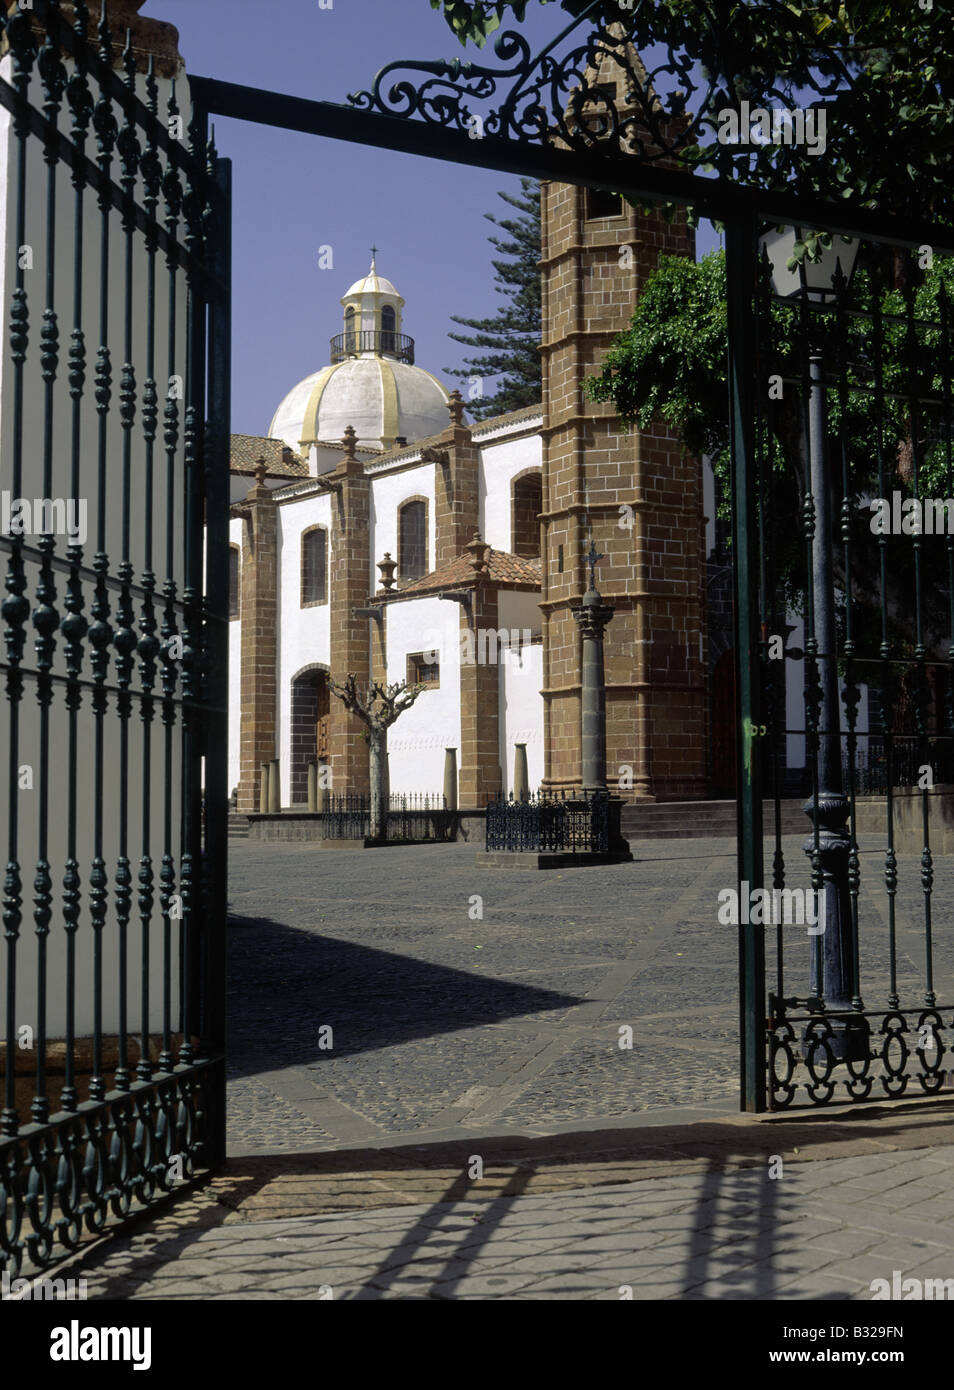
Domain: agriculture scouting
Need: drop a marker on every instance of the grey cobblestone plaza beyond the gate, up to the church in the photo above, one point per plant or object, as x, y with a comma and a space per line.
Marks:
446, 1022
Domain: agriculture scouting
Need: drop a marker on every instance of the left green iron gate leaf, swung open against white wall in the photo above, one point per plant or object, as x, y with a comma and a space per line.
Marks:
118, 195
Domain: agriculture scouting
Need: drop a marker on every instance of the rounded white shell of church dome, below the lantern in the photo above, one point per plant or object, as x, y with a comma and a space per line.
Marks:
382, 398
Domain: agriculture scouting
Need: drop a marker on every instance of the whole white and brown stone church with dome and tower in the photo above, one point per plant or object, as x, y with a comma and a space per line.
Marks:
376, 533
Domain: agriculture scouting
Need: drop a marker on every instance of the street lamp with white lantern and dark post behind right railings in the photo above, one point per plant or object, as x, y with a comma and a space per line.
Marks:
834, 965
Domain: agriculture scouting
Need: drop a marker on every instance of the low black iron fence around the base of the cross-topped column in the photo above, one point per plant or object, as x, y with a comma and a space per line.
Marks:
568, 825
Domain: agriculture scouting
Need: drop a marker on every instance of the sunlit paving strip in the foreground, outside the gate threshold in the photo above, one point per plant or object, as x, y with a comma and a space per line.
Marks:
820, 1231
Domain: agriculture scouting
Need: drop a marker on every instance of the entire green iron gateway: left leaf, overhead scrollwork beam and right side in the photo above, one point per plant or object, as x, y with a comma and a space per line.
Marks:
116, 714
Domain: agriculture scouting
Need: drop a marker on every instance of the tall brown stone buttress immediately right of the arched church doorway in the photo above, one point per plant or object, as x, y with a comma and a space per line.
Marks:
351, 643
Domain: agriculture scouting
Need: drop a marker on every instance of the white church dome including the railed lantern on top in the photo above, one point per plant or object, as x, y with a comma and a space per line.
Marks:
372, 383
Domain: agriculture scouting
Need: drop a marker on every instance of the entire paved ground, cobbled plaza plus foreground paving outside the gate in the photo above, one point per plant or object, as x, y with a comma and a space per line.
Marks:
475, 1129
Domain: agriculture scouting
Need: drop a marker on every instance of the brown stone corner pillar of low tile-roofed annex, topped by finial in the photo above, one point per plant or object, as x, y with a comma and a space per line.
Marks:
480, 755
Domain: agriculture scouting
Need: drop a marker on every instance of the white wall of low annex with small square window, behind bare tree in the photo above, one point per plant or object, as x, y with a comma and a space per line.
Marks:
418, 742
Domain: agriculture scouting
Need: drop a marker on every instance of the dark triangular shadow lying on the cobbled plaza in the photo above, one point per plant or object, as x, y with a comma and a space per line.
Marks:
372, 999
